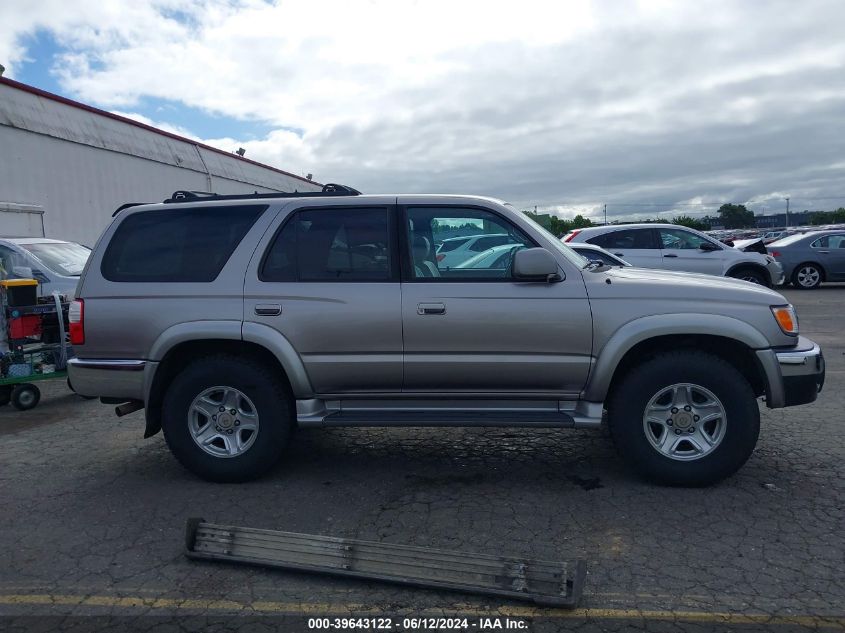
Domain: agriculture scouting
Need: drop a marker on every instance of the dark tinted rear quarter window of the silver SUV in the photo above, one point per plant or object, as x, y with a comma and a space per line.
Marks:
177, 245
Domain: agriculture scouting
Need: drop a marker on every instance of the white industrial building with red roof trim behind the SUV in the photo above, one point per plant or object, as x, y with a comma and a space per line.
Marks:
65, 166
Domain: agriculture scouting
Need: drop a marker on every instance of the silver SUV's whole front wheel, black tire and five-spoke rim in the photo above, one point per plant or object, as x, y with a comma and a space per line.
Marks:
684, 418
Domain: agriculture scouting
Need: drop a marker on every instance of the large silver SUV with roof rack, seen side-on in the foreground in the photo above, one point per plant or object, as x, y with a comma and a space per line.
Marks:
233, 320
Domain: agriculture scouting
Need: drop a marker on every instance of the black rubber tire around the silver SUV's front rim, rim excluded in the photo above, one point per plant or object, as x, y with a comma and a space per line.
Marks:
627, 407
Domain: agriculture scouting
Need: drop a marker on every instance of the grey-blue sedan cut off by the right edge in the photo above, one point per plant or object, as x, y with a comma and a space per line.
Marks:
808, 259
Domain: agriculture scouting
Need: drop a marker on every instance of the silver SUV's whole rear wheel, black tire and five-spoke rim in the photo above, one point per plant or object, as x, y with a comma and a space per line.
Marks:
227, 418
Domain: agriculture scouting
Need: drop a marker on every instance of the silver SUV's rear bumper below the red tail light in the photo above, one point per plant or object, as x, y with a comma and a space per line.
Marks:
108, 378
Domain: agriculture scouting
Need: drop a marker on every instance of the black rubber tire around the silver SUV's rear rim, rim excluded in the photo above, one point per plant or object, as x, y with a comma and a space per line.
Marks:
272, 401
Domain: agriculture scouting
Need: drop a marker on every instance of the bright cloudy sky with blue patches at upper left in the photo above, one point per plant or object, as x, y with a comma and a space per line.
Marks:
650, 106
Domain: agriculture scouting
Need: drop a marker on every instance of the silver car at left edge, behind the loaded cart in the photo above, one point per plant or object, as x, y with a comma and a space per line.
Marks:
56, 264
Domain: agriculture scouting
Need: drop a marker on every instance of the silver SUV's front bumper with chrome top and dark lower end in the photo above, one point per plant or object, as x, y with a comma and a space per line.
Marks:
794, 375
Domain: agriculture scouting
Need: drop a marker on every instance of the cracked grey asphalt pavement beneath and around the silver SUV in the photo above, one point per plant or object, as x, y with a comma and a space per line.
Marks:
93, 517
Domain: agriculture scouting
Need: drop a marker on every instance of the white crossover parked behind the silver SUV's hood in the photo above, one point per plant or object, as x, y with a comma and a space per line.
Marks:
673, 247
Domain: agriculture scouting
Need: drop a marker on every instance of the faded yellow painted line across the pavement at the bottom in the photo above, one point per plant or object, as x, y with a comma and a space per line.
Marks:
836, 622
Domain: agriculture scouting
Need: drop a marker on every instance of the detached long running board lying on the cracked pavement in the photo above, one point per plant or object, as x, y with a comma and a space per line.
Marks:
547, 583
